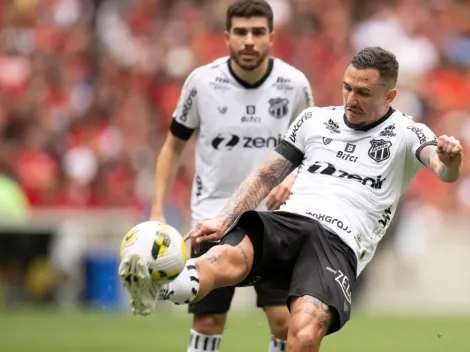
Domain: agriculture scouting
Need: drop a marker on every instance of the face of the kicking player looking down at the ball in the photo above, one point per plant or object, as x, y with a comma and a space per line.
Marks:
365, 98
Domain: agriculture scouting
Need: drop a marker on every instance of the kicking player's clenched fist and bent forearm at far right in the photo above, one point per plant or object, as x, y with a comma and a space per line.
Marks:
445, 159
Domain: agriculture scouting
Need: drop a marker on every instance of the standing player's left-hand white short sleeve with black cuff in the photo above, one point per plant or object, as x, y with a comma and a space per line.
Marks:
186, 115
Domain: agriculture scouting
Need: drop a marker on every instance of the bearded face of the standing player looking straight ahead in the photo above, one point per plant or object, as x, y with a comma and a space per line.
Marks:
249, 41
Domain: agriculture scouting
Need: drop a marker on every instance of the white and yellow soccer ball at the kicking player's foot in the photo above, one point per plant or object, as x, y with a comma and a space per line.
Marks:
161, 246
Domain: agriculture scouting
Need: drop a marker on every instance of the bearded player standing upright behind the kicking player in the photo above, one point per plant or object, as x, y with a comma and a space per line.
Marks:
240, 107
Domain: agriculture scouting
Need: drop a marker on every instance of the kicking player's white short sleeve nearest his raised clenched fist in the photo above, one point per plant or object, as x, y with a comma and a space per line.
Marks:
418, 136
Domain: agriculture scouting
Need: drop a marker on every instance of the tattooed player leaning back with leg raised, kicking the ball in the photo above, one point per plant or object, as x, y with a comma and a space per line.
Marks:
355, 162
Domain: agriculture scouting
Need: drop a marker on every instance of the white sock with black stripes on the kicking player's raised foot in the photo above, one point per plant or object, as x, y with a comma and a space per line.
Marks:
184, 288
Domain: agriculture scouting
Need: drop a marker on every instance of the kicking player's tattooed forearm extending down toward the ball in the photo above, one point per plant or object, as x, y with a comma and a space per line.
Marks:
257, 186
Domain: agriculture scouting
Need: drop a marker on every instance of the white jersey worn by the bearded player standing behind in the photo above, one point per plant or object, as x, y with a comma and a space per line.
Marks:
237, 126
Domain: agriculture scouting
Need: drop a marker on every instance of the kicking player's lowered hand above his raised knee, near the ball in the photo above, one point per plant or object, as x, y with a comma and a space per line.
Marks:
209, 230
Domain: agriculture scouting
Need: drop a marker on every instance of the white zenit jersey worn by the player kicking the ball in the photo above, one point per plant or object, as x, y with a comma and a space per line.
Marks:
350, 180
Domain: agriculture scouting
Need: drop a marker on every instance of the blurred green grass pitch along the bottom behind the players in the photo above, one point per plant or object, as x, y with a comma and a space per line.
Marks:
51, 331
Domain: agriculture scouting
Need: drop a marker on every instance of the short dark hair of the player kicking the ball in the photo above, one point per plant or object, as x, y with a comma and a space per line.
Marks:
381, 60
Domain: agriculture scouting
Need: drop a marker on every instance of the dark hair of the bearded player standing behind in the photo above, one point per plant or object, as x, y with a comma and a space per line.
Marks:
249, 8
